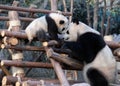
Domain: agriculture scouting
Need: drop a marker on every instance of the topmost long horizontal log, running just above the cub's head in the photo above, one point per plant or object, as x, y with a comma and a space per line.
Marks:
30, 10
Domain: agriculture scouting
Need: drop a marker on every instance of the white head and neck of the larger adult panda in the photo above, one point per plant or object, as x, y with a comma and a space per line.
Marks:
76, 29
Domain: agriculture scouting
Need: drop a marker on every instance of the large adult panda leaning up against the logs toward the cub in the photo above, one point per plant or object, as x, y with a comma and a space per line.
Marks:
88, 46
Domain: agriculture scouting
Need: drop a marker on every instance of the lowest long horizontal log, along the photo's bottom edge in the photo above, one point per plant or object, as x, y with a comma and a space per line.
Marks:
7, 80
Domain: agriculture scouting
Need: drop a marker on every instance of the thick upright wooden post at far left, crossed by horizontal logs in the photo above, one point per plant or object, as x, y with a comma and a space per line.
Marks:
14, 25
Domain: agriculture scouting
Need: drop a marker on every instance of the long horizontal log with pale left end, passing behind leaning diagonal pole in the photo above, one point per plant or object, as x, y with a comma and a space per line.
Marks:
33, 64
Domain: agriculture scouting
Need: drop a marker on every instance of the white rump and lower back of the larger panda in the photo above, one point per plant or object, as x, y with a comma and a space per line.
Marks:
103, 62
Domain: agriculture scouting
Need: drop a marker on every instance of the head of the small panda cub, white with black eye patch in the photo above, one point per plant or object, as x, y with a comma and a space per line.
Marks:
60, 20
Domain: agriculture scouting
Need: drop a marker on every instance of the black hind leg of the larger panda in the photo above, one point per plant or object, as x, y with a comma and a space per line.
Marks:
96, 78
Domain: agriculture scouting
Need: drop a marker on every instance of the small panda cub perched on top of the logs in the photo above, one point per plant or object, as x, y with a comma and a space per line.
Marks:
52, 23
